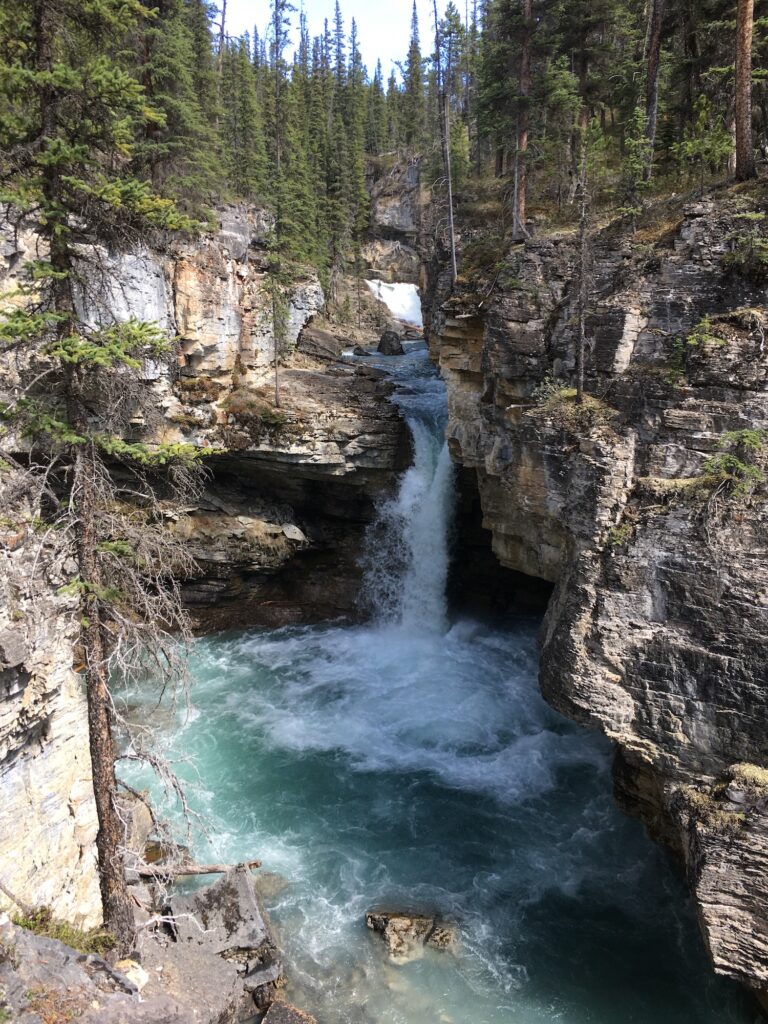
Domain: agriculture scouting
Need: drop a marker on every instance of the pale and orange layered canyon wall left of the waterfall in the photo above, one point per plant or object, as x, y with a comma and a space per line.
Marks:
276, 534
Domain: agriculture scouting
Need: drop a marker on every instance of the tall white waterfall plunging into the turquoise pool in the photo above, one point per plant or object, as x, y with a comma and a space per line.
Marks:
408, 547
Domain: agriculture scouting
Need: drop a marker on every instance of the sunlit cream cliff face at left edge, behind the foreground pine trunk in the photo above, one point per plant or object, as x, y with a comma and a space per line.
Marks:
48, 815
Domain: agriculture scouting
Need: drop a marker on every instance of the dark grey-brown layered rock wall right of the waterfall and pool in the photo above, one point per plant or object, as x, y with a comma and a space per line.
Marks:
658, 629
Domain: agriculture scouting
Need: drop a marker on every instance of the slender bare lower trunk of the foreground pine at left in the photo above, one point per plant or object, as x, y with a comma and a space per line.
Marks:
116, 903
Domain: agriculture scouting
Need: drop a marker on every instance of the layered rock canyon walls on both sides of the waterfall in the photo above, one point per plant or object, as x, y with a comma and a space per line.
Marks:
657, 629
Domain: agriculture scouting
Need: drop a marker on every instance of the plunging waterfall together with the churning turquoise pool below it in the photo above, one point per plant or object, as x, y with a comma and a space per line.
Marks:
411, 762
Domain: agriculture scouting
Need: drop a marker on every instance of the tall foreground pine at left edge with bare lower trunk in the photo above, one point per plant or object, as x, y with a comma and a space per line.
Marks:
72, 113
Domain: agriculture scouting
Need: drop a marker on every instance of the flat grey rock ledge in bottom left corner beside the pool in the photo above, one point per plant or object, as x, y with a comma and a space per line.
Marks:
220, 971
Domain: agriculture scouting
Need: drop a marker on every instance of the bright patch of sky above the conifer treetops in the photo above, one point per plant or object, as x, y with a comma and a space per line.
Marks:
385, 28
